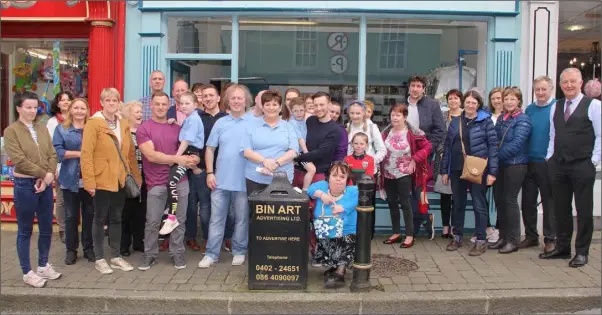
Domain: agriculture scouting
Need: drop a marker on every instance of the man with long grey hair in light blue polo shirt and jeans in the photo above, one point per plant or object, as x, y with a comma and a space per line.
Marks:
227, 181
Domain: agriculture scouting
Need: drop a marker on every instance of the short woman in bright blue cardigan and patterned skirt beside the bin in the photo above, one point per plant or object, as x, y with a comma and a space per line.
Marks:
335, 220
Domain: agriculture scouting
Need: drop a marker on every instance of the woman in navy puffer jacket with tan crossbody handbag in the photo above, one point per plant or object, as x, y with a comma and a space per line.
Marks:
470, 162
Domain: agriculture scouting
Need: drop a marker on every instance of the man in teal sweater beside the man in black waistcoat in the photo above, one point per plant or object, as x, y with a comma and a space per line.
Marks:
537, 180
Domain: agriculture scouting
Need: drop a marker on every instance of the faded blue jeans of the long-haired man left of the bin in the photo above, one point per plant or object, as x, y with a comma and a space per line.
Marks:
221, 203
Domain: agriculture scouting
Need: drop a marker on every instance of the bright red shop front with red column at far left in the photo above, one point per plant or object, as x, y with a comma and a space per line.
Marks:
54, 46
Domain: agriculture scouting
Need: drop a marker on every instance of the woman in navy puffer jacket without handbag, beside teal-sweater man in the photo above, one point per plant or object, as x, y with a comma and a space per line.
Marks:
513, 129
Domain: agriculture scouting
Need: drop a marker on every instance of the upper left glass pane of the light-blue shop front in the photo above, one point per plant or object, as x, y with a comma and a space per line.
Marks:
188, 35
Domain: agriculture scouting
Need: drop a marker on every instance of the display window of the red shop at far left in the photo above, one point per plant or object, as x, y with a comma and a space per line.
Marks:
45, 67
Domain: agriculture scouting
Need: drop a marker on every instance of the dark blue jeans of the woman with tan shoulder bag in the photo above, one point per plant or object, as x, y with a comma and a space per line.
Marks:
479, 205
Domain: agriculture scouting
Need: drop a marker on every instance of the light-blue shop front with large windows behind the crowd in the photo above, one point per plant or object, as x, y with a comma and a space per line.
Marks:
353, 50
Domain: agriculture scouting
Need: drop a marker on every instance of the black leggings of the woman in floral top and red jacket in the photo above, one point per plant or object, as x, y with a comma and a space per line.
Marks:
399, 193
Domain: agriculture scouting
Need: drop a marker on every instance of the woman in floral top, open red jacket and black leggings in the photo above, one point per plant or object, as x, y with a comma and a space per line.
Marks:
404, 165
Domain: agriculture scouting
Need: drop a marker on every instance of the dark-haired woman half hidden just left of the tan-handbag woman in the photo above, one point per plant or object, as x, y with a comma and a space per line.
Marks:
454, 99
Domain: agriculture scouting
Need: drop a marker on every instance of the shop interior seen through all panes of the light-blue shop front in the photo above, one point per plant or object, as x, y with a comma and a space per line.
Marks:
322, 54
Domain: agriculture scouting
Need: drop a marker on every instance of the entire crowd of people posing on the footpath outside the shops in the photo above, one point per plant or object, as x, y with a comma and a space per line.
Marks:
201, 153
